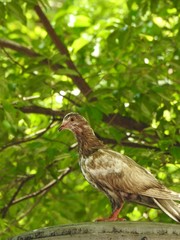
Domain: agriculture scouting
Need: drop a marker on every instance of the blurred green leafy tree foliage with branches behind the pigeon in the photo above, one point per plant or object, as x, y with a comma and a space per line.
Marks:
115, 62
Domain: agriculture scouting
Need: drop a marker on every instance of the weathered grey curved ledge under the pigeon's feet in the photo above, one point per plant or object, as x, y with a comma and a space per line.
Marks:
106, 231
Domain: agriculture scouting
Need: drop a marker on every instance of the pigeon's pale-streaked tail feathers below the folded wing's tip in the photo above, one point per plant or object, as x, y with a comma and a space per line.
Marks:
170, 207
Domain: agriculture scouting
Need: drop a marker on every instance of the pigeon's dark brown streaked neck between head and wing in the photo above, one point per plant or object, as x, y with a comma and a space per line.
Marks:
88, 143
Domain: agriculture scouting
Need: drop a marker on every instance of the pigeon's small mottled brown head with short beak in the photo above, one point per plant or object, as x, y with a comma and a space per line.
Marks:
75, 123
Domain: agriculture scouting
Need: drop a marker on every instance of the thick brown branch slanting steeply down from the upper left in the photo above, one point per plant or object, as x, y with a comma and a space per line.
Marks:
78, 80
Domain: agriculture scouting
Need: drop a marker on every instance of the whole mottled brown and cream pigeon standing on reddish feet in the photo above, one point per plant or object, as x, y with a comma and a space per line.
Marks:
119, 177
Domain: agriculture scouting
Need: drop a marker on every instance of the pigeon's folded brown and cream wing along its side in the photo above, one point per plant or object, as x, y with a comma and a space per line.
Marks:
119, 172
